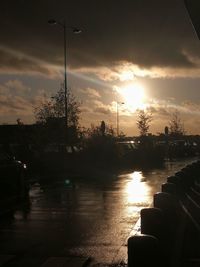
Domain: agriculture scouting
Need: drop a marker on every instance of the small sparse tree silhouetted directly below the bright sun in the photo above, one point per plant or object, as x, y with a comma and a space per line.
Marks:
143, 122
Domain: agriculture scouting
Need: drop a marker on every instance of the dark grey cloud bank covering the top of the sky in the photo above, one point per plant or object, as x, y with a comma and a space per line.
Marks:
147, 33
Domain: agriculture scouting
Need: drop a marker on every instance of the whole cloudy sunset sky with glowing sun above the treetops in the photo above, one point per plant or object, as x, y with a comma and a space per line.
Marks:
144, 53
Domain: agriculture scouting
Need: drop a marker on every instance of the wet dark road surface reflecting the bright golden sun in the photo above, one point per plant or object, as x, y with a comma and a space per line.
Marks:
81, 217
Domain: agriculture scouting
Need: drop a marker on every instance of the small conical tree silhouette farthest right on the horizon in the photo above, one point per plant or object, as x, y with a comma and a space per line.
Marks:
176, 126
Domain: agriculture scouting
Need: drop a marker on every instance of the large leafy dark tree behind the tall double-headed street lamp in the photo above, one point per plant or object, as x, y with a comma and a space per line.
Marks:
50, 114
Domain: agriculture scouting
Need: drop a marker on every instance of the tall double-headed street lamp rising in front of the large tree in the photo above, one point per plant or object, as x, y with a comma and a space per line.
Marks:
75, 31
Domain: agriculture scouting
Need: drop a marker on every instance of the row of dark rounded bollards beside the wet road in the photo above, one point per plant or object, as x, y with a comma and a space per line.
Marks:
171, 227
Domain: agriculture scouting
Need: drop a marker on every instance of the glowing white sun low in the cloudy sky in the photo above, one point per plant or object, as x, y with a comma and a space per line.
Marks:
133, 96
